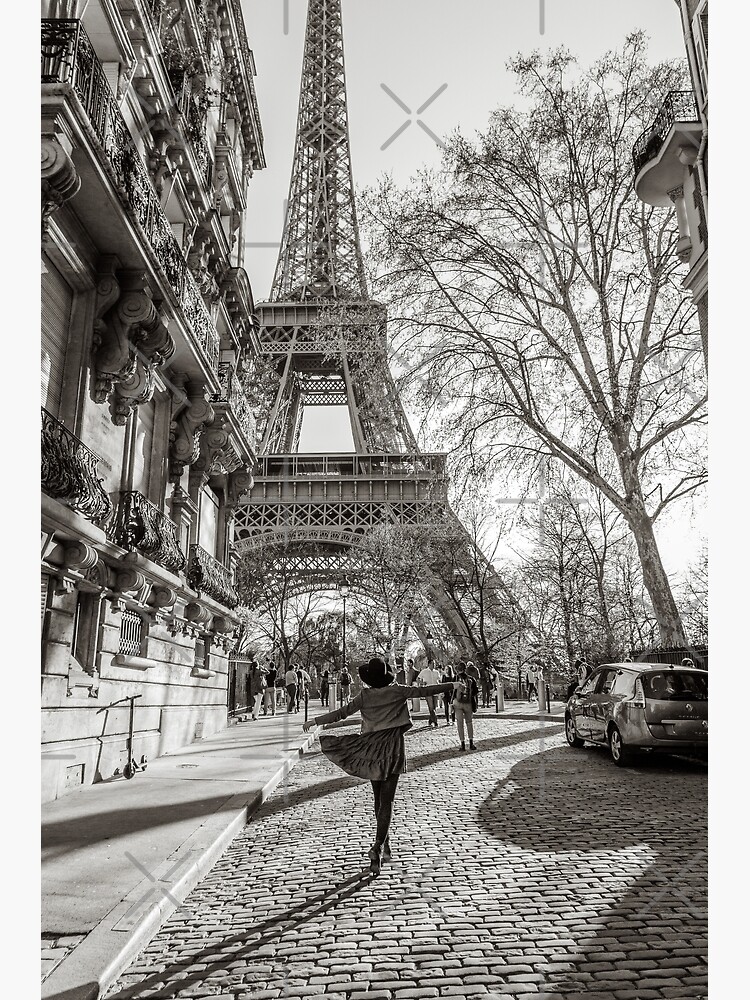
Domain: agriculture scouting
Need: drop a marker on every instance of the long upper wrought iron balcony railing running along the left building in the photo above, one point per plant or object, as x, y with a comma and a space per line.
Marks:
69, 58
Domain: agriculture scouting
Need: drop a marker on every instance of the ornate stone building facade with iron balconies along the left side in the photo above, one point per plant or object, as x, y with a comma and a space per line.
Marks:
150, 136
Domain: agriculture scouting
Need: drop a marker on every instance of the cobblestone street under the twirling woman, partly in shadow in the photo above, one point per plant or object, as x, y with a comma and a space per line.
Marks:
525, 868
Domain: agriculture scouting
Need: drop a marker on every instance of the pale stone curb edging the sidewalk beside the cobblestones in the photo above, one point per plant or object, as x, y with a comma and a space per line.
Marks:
106, 951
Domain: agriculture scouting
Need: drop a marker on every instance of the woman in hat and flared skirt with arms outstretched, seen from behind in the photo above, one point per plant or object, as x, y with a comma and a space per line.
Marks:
377, 752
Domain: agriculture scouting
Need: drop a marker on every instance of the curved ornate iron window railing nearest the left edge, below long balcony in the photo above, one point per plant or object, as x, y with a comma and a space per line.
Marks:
69, 471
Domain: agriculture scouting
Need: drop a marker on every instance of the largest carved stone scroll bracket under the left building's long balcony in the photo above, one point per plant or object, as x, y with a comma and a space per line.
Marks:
131, 341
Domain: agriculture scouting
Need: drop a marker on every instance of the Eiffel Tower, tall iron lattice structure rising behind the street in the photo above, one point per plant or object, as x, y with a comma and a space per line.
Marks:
324, 338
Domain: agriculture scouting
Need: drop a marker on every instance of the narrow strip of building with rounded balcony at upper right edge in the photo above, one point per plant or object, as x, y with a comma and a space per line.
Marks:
671, 159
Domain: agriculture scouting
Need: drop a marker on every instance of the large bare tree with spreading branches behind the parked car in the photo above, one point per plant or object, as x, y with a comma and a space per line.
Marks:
539, 302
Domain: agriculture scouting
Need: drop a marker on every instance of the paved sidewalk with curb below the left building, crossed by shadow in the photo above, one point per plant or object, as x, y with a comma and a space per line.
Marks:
118, 857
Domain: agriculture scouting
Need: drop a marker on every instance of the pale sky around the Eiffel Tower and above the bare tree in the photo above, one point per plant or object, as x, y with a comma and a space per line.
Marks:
415, 48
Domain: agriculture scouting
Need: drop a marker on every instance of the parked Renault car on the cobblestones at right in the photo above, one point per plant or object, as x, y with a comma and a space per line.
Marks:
632, 707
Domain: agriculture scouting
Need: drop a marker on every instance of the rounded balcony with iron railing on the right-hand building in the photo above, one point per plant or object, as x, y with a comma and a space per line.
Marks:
656, 165
